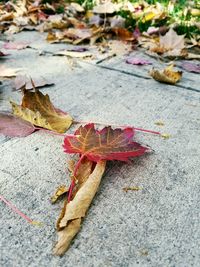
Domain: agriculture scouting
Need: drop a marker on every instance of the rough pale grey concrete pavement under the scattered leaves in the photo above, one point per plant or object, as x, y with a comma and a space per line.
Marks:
155, 226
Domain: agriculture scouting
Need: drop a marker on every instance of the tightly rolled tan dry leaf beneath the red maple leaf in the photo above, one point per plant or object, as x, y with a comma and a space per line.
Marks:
73, 212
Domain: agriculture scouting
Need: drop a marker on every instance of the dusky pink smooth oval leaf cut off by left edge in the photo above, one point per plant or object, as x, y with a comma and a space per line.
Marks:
14, 127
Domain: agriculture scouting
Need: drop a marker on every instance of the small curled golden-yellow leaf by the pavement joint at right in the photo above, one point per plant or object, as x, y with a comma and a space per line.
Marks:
168, 75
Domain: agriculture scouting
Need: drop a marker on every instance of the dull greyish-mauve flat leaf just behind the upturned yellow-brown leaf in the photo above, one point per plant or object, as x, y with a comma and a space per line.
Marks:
23, 81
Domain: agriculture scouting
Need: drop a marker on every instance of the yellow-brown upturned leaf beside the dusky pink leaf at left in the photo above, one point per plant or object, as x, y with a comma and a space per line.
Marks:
38, 109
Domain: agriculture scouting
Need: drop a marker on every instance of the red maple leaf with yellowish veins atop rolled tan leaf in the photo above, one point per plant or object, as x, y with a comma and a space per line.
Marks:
105, 144
